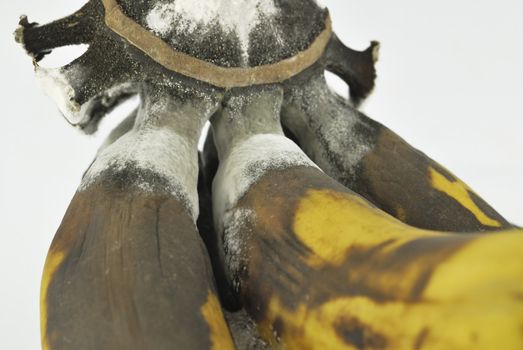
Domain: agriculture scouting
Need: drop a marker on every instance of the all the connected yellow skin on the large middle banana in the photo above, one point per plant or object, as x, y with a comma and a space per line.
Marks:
473, 299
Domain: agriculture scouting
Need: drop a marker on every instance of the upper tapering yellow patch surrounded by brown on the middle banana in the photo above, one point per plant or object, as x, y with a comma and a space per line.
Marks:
329, 223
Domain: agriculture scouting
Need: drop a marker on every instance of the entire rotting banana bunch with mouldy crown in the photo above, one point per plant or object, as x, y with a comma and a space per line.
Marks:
343, 239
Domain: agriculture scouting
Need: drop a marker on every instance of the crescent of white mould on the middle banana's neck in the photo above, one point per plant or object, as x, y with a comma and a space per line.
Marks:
247, 163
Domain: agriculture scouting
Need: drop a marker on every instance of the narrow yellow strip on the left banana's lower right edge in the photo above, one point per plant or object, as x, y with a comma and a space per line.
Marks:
212, 312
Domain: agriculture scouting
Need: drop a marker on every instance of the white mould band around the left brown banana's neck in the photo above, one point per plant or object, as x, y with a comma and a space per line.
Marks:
154, 149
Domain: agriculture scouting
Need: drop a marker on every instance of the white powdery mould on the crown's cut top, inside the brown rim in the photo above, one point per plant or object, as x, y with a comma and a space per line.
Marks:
238, 16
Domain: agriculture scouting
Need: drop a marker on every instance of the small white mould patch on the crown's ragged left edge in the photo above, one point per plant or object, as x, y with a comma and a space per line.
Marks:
56, 84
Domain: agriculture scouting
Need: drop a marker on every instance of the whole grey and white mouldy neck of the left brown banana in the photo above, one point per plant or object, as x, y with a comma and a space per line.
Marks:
164, 139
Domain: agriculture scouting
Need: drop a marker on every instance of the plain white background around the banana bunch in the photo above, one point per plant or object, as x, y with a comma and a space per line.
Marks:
450, 82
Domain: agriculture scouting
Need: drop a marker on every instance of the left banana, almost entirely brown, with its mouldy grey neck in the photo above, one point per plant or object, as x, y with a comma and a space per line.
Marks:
127, 268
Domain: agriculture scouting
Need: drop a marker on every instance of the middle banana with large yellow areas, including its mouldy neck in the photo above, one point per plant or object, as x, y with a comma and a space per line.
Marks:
318, 267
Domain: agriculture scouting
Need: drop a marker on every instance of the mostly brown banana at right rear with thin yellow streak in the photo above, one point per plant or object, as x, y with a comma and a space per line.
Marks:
376, 163
